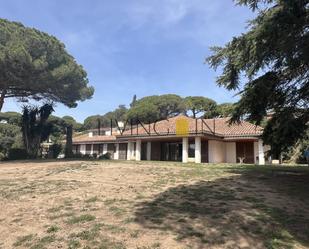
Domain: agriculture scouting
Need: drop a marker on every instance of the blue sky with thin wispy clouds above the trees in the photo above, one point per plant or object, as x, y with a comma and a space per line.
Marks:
140, 47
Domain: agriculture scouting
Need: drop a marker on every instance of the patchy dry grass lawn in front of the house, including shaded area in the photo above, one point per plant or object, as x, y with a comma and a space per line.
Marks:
117, 205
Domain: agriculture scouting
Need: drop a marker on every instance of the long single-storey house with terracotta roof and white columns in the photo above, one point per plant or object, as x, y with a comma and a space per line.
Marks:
181, 139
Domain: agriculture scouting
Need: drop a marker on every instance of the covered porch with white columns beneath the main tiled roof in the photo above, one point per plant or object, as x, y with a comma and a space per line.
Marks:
197, 149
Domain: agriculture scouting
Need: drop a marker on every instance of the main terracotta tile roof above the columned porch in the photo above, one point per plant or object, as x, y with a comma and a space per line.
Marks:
217, 127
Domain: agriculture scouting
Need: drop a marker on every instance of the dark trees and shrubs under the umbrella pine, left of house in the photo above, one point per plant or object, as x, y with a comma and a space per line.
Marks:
21, 135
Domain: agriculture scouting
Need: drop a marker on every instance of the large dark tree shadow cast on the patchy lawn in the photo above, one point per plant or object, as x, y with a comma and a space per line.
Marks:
253, 208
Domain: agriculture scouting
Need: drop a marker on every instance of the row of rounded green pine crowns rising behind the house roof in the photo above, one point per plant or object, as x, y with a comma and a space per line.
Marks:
158, 107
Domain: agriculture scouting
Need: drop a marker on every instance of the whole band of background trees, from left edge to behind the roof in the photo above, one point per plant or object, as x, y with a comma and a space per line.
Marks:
22, 134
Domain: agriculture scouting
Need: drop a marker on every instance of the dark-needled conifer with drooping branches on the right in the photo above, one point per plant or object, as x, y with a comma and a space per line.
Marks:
273, 55
